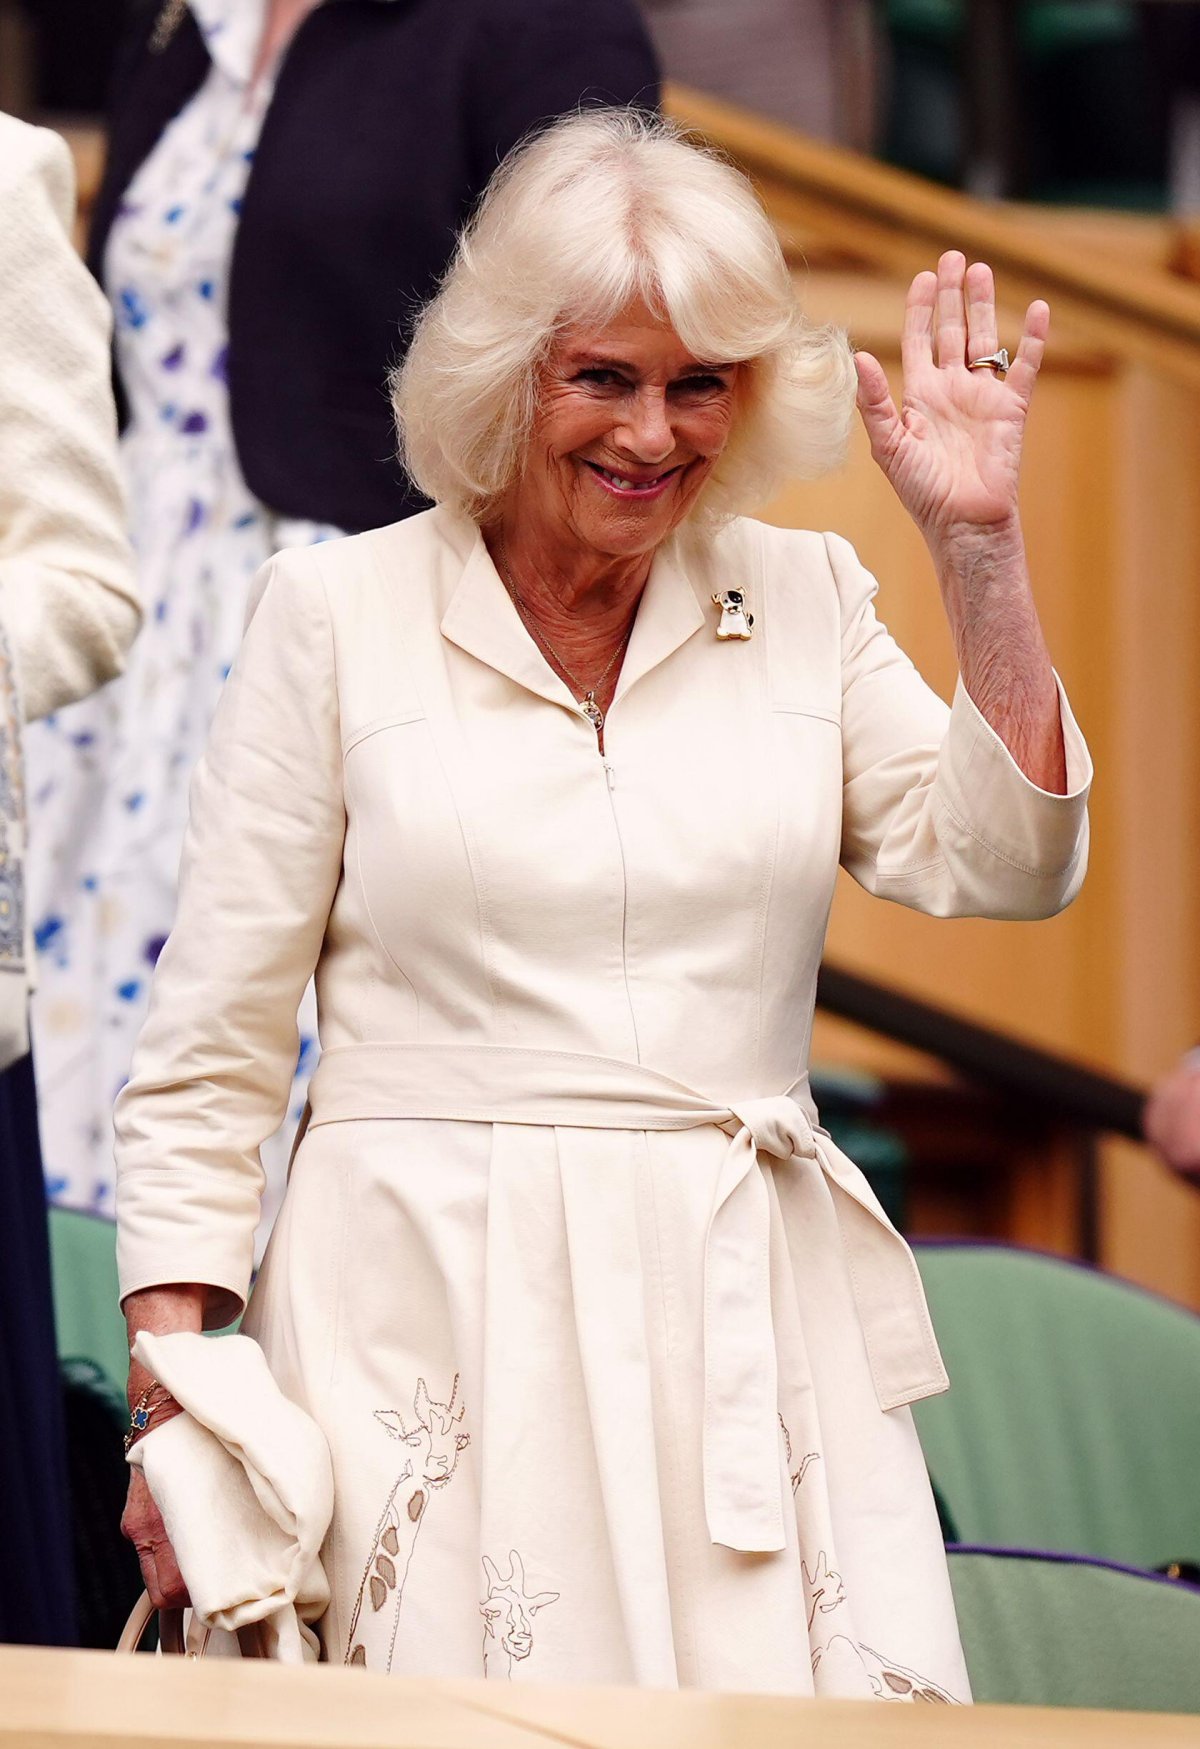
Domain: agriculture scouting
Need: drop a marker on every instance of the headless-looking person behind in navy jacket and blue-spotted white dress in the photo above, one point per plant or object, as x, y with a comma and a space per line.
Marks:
286, 178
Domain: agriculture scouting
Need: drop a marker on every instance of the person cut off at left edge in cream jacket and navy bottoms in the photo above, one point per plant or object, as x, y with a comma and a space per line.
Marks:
67, 618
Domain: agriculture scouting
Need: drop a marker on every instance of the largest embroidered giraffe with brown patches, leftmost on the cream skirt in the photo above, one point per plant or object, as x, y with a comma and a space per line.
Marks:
435, 1446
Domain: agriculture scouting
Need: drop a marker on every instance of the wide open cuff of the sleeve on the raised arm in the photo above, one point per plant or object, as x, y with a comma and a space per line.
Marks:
998, 805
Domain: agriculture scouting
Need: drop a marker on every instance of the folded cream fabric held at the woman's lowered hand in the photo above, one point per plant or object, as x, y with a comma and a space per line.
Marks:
246, 1488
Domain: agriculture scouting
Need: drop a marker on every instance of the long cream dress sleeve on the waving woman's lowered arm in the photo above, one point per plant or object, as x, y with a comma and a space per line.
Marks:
260, 872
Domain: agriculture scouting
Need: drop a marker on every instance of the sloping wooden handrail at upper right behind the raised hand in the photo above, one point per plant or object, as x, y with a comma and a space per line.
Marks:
891, 219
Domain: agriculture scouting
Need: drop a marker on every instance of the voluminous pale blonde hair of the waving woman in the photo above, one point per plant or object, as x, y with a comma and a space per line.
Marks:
580, 221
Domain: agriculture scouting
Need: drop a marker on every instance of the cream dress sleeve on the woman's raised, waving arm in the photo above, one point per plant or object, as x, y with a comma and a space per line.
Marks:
937, 812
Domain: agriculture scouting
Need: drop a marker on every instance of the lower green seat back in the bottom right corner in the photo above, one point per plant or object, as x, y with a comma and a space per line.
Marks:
1052, 1631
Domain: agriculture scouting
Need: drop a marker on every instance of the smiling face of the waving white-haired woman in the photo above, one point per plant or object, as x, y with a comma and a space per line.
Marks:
627, 433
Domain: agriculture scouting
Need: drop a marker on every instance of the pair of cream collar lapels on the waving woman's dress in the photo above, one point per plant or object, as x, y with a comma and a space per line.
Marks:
484, 622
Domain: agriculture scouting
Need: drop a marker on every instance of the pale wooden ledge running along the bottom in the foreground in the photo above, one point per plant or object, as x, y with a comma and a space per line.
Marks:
94, 1701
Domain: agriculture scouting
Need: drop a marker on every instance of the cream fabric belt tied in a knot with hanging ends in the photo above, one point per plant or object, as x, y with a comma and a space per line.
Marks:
510, 1085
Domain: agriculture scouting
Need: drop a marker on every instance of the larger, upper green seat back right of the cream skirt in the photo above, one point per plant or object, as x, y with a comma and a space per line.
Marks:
1073, 1421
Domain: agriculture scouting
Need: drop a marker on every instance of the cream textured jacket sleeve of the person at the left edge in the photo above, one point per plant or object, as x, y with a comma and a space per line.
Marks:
67, 590
